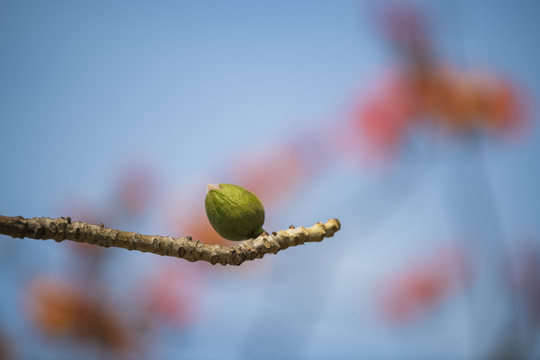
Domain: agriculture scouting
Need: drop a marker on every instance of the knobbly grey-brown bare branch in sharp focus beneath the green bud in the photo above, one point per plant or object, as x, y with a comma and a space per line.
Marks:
185, 247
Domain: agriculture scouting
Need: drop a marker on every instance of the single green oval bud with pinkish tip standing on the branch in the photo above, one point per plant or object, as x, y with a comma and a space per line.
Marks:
234, 212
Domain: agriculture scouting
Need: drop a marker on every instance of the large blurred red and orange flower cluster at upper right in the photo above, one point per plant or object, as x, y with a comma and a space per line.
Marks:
424, 90
